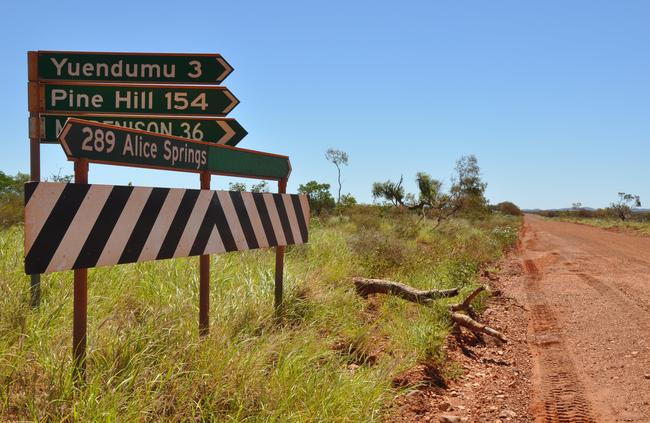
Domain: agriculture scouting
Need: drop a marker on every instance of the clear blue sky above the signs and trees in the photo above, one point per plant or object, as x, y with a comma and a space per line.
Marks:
553, 97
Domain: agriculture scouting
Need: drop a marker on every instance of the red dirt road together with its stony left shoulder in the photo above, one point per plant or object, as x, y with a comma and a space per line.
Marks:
574, 301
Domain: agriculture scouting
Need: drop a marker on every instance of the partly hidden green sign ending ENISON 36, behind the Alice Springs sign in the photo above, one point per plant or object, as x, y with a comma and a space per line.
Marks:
224, 131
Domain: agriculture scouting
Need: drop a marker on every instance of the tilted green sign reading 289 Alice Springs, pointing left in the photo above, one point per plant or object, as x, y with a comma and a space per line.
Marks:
109, 144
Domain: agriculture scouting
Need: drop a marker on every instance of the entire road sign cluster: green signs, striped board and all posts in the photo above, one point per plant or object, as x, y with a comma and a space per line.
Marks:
160, 111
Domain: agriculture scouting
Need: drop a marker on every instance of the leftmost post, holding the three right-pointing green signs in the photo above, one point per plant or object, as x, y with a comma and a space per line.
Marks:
34, 149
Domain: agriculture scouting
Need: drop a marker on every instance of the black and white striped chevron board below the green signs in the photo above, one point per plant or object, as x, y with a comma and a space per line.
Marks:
77, 226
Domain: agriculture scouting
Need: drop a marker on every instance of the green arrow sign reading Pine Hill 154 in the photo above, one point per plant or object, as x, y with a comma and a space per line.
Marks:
136, 99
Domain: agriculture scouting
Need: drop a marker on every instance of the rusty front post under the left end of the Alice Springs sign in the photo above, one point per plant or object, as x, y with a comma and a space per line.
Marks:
80, 305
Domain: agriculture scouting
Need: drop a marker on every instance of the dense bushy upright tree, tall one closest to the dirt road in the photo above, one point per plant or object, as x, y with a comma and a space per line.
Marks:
468, 189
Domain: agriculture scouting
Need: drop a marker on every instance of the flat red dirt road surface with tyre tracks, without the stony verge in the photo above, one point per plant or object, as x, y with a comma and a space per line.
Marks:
588, 295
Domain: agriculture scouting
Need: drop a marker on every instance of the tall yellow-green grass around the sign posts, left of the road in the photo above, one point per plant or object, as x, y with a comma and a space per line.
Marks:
329, 356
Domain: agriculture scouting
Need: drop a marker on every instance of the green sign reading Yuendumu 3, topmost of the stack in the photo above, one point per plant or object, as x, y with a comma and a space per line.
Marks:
174, 68
